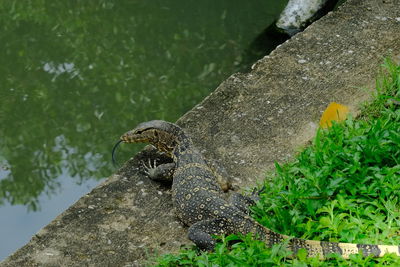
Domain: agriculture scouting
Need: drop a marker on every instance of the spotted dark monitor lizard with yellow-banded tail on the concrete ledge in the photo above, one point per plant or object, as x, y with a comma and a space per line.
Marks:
198, 200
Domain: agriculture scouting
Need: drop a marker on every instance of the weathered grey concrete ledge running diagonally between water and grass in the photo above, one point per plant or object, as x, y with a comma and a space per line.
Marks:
249, 122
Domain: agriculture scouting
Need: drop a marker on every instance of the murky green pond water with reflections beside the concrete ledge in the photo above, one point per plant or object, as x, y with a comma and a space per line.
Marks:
75, 75
